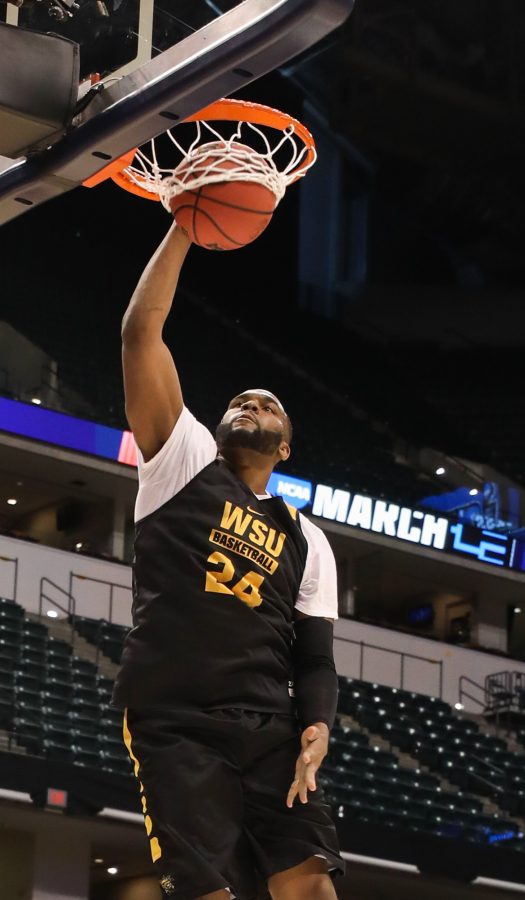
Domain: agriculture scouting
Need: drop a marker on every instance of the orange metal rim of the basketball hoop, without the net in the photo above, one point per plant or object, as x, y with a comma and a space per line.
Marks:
221, 110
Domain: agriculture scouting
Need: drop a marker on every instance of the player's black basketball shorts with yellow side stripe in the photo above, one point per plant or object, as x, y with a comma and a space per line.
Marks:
213, 791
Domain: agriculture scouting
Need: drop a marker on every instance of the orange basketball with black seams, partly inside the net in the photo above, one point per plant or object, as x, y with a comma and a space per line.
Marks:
223, 215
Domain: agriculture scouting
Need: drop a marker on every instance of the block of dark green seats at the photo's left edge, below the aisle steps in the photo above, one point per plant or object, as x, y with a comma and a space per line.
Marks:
52, 702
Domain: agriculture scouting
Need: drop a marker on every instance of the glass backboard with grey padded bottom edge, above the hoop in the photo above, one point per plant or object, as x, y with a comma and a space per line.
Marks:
154, 62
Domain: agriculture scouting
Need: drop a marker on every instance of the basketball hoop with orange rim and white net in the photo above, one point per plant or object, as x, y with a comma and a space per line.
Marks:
252, 152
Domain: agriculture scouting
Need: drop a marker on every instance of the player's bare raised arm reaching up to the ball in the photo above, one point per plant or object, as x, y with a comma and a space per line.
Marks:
151, 384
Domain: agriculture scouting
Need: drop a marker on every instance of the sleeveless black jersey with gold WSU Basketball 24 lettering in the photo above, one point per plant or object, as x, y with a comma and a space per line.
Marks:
216, 575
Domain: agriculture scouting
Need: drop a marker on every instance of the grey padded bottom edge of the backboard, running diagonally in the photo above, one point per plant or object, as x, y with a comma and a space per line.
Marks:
236, 49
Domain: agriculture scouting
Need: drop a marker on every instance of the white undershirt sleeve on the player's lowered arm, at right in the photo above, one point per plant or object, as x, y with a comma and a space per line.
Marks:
318, 590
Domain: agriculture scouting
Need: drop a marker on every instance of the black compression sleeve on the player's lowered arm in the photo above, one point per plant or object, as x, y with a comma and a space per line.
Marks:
315, 678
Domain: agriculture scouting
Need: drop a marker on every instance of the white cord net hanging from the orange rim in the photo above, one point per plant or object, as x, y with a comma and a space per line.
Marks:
230, 158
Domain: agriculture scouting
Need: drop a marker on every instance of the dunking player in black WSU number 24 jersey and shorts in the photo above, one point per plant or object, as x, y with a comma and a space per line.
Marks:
227, 677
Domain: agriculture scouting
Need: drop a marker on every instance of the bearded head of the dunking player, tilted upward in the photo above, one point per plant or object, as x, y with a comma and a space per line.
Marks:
255, 420
